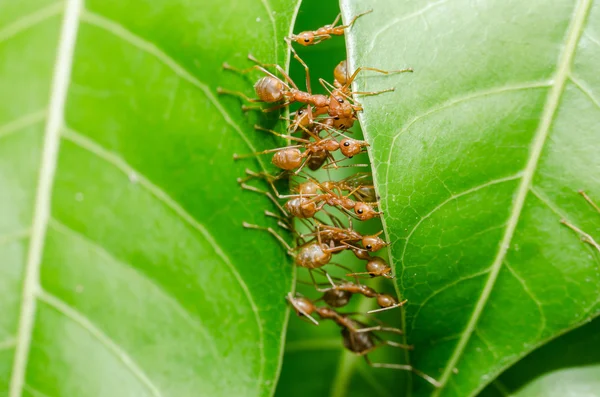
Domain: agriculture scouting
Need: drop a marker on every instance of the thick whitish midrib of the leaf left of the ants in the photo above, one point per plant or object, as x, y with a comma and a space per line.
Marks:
41, 211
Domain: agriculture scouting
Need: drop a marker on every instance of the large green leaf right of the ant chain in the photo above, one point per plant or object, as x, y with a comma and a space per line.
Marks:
478, 155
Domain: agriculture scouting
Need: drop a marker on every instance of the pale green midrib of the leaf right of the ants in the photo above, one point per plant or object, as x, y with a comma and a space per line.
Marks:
561, 76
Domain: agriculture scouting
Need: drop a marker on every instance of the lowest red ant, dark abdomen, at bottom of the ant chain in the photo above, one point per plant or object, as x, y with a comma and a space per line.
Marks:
357, 336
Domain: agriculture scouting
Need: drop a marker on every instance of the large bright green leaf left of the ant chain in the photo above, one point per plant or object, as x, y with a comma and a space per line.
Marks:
125, 269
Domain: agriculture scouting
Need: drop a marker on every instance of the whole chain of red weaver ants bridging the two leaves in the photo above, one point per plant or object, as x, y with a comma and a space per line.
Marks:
326, 209
